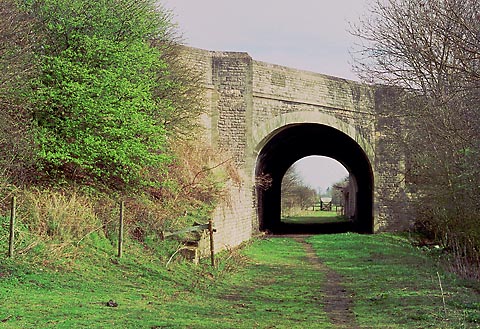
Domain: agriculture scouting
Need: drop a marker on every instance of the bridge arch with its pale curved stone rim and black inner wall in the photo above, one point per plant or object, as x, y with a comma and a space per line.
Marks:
283, 140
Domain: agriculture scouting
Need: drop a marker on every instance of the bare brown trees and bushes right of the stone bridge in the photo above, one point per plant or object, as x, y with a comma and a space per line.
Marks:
431, 49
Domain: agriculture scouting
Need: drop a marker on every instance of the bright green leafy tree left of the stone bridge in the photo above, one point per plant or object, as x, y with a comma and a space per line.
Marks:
97, 110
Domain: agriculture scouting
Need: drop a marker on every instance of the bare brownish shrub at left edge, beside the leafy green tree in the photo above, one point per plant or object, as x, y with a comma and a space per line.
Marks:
18, 66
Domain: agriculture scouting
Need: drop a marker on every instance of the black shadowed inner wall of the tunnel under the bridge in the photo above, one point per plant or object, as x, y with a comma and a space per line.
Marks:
296, 141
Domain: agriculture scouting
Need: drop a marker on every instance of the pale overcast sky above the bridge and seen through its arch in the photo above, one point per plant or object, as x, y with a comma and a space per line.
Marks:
304, 34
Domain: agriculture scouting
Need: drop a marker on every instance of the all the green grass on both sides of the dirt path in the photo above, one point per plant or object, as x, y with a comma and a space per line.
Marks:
268, 284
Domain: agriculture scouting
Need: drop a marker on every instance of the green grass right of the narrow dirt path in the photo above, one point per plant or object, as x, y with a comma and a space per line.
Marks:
395, 285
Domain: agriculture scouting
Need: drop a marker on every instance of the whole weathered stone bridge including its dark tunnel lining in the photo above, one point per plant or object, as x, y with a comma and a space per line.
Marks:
268, 117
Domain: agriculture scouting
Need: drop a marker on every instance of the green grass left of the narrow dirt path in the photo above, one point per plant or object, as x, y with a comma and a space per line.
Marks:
268, 289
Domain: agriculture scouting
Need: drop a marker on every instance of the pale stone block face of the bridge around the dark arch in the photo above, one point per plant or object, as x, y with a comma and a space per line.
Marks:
249, 102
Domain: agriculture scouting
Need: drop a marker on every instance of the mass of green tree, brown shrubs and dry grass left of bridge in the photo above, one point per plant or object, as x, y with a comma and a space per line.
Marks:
92, 94
